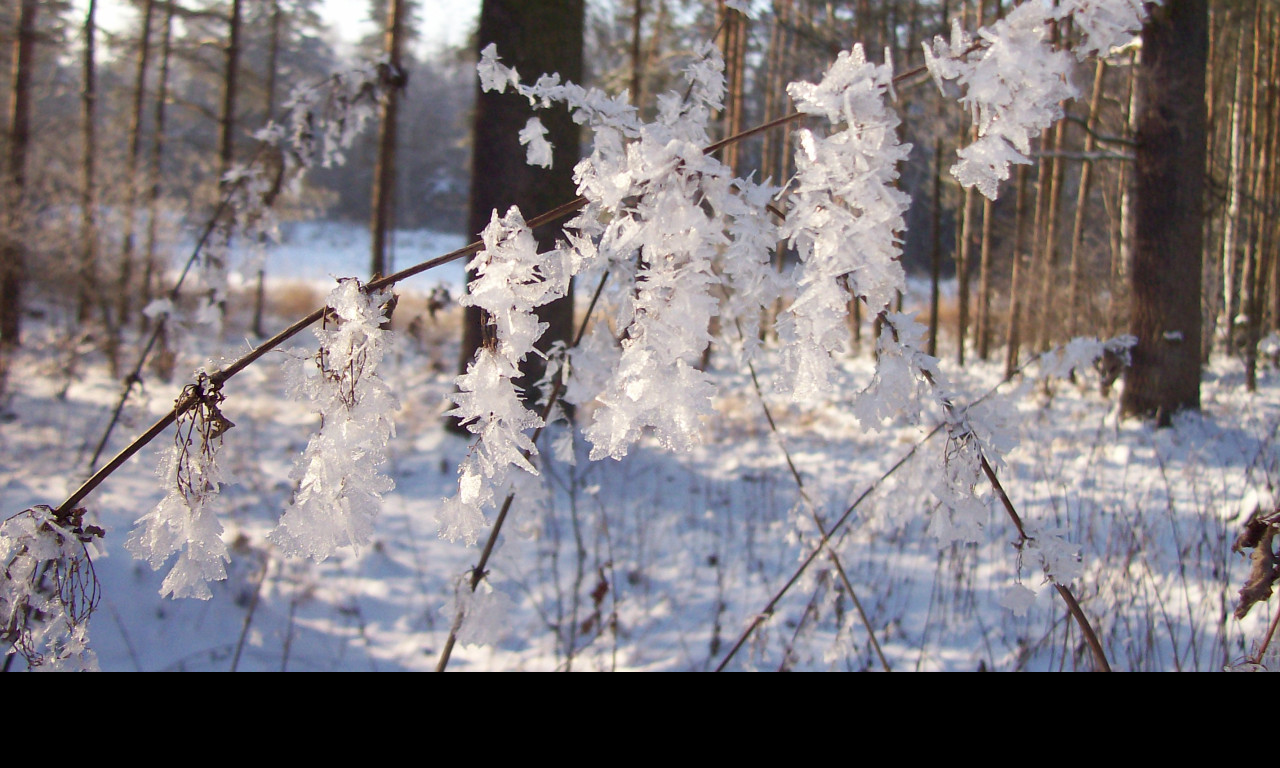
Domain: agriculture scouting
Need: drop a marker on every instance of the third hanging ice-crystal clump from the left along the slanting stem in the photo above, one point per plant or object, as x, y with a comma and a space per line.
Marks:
340, 484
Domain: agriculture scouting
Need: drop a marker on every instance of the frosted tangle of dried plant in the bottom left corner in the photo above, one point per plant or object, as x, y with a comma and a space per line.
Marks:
47, 593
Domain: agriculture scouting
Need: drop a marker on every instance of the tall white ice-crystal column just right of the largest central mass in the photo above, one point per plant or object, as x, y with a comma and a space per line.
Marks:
845, 218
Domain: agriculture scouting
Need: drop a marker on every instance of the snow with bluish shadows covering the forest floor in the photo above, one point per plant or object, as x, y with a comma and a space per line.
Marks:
661, 561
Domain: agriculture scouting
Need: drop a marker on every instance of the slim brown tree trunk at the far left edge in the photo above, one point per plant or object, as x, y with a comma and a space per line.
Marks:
12, 249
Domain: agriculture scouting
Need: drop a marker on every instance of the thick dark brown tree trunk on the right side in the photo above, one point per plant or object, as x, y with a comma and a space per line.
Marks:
1169, 184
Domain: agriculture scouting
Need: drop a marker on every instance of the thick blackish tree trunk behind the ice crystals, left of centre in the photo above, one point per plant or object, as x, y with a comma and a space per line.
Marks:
534, 38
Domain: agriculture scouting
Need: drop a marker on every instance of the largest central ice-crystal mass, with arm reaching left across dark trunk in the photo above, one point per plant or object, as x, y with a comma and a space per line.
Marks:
683, 237
